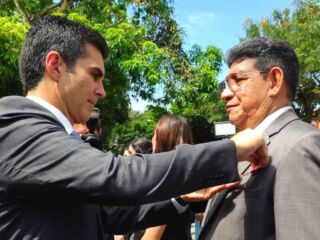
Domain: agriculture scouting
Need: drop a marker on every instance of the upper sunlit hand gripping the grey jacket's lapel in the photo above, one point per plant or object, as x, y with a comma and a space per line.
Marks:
251, 147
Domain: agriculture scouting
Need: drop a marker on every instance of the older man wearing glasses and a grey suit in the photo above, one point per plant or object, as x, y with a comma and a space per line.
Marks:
277, 202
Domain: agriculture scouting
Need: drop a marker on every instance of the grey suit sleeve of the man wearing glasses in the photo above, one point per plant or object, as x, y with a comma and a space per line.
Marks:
297, 191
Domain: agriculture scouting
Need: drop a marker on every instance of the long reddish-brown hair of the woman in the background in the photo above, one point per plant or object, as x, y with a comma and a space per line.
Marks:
171, 131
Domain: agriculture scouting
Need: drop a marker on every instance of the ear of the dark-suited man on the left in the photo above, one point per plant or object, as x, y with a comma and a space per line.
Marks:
53, 65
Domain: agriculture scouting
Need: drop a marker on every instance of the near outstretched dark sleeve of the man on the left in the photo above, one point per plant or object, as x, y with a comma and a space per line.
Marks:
40, 161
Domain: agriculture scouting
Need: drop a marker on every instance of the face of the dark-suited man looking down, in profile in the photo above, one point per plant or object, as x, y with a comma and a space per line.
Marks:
81, 87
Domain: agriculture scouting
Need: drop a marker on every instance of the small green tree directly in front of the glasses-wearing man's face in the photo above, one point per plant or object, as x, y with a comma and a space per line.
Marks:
199, 94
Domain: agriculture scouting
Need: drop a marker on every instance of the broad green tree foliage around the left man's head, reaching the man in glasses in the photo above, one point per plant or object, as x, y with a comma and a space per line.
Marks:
146, 57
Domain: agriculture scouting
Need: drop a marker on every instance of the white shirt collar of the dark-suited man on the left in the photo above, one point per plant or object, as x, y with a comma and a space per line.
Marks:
55, 111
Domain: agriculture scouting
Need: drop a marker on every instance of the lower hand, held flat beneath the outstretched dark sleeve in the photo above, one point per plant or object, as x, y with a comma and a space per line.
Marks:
207, 193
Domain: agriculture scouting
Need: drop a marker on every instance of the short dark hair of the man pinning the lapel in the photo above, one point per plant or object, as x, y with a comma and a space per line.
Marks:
54, 33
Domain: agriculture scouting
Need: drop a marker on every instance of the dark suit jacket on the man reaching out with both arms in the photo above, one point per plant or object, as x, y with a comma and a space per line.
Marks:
55, 187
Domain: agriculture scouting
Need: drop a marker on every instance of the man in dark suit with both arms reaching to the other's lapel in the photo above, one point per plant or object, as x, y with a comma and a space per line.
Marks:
55, 186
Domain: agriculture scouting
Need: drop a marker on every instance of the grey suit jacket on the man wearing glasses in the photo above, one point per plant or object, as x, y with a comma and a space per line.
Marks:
278, 202
